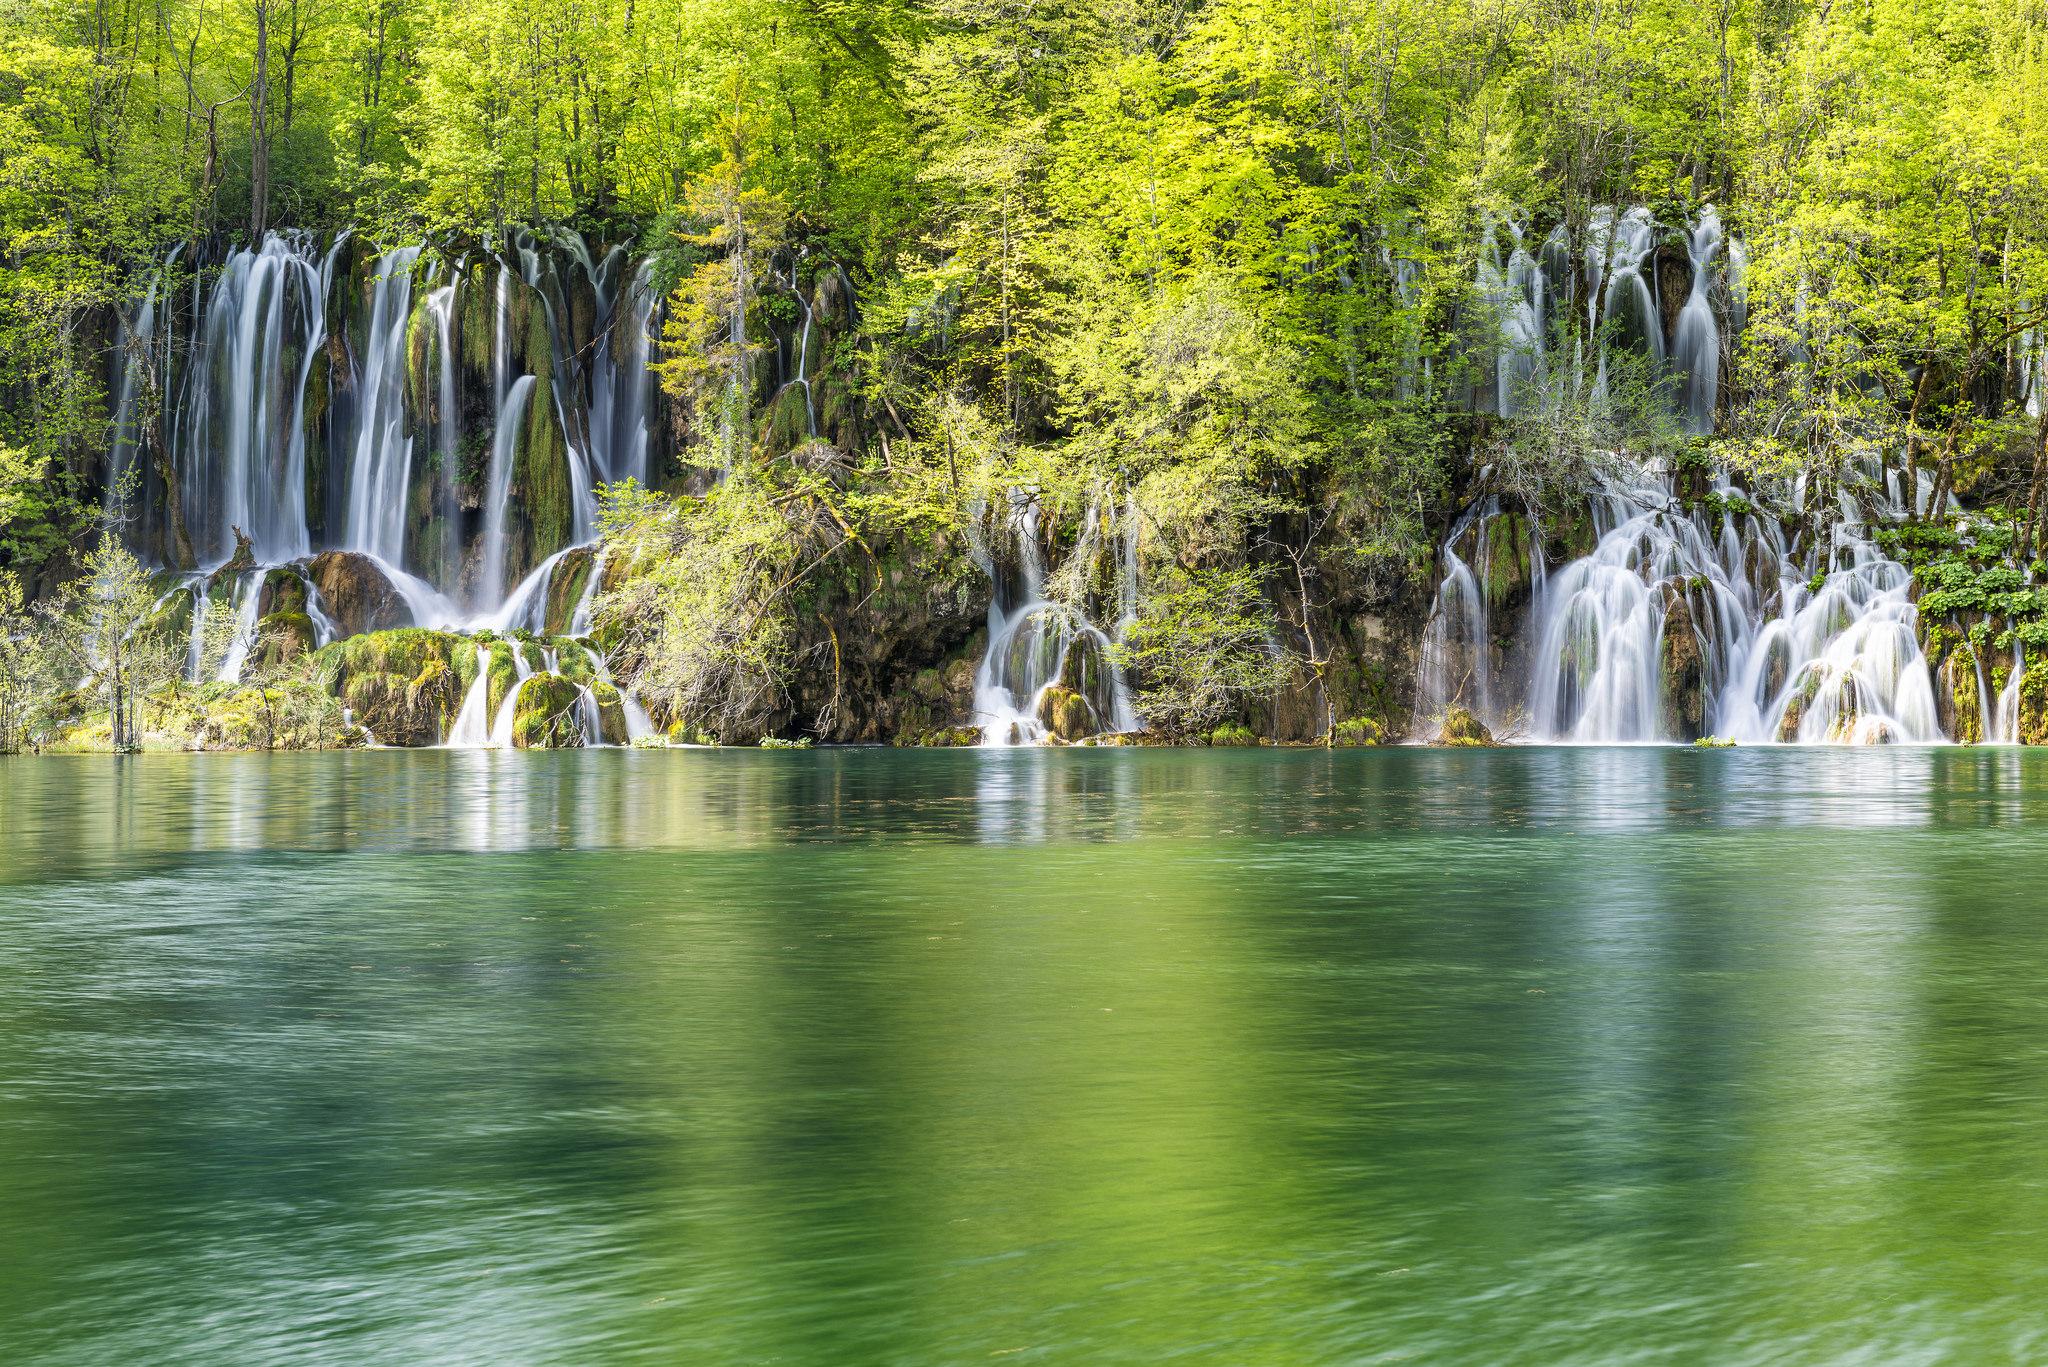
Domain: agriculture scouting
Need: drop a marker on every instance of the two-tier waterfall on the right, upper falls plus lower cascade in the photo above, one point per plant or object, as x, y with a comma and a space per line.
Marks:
1684, 620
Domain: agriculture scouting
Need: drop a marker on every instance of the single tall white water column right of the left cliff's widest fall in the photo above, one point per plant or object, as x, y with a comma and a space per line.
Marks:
382, 468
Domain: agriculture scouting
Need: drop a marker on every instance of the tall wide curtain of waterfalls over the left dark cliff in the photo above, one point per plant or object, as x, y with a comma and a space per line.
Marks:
237, 425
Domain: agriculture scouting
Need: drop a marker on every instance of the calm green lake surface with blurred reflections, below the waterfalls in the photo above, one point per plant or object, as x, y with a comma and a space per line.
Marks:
1406, 1057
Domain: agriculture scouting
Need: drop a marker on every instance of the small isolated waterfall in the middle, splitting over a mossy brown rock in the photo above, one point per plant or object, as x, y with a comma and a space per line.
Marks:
1037, 645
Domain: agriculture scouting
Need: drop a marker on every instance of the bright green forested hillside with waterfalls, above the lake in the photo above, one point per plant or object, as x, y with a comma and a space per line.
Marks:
1261, 362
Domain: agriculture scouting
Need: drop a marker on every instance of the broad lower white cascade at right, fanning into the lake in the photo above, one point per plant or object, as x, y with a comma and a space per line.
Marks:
1672, 630
